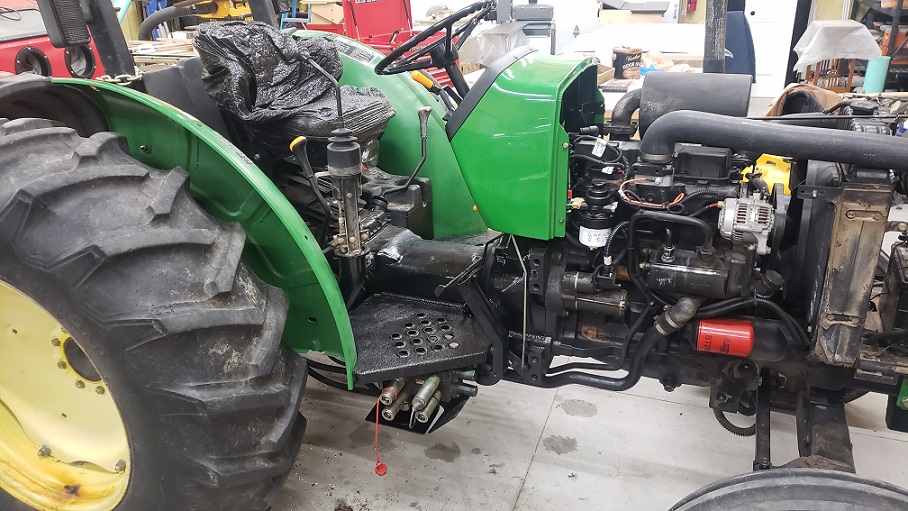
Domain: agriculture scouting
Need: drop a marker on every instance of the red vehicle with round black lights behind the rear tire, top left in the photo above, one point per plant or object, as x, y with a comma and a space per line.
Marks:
25, 47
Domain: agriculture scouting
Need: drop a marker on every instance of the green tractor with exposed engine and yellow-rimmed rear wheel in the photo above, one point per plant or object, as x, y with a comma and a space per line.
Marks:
172, 243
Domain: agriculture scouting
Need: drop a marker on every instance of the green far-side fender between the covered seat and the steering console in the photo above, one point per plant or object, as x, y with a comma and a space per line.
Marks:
452, 208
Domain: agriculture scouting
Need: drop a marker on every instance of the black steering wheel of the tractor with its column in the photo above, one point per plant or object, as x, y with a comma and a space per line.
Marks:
441, 53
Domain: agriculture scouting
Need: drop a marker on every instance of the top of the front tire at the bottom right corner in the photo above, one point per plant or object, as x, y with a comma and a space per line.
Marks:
796, 489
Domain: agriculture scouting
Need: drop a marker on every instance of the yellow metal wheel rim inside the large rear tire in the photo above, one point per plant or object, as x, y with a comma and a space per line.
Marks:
62, 440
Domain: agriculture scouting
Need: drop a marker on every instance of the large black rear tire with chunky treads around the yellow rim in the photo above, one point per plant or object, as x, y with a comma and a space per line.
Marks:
187, 339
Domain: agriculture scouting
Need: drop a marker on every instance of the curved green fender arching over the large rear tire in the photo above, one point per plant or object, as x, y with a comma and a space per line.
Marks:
280, 248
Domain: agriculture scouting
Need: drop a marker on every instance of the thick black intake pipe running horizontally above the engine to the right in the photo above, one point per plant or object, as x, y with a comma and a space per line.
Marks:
799, 142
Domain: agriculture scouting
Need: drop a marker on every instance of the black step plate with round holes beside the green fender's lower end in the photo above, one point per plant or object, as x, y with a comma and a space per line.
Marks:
398, 336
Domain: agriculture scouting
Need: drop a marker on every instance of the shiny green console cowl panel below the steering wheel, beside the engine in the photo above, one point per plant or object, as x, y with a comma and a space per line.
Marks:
513, 150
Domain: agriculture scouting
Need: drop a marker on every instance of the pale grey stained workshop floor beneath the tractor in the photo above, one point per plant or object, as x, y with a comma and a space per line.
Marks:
518, 448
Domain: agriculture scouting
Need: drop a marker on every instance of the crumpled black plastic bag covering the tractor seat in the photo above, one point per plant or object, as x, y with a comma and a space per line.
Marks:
260, 76
